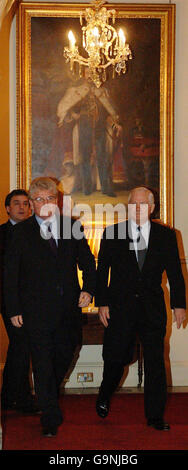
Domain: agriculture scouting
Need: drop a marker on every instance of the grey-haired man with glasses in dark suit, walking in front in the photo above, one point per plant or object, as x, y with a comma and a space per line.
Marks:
45, 293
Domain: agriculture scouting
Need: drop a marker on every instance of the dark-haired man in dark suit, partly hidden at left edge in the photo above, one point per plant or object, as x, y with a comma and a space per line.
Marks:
16, 390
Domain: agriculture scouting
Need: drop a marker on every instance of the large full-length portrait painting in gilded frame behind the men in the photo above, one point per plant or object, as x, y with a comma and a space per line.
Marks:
66, 124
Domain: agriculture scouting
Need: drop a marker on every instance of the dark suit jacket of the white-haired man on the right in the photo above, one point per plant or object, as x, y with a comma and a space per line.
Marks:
128, 283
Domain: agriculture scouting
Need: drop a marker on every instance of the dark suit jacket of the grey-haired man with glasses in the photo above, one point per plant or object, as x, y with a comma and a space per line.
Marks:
34, 276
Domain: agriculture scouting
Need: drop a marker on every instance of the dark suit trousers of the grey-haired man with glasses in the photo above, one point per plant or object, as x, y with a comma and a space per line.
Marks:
52, 354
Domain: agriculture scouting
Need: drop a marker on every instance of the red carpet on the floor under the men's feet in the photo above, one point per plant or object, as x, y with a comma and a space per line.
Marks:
82, 429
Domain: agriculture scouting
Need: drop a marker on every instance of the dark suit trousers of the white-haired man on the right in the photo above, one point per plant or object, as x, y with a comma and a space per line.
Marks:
152, 340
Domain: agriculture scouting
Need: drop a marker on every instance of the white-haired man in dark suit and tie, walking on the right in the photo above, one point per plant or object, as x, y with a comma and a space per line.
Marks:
133, 302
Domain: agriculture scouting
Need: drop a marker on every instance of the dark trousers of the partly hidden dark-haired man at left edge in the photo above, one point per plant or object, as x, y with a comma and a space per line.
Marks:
16, 385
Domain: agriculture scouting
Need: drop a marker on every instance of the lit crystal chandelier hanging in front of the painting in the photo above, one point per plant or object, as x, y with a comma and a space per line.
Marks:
103, 45
